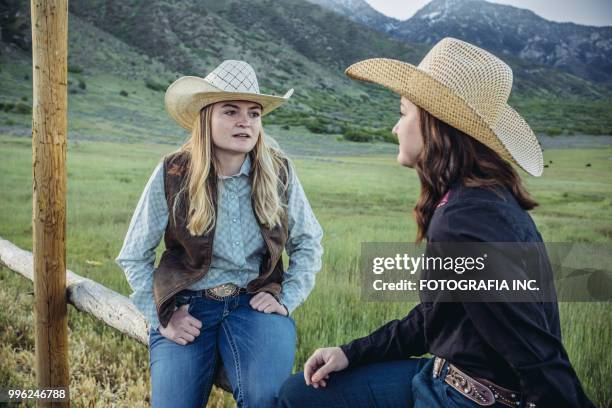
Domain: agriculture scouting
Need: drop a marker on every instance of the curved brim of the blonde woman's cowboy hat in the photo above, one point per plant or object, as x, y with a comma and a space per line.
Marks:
186, 96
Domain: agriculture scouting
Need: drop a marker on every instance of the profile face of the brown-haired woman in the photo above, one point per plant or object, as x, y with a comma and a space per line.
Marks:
408, 132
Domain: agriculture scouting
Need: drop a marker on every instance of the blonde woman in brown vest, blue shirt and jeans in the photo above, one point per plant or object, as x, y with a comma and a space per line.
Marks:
227, 204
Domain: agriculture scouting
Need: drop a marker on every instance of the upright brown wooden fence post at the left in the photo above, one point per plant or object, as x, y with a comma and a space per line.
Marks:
49, 128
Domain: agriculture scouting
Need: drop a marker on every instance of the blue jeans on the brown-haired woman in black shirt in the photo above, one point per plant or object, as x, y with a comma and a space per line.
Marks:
402, 383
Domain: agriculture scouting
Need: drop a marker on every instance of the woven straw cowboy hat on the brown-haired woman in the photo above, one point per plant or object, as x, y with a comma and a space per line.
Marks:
466, 87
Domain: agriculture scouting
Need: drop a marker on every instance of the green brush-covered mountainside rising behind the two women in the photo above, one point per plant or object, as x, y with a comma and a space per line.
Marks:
124, 53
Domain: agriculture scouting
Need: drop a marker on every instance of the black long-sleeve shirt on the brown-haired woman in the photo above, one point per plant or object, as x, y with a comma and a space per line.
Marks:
515, 345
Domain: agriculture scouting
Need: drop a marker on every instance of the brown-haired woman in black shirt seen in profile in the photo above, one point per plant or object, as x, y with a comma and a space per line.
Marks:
457, 130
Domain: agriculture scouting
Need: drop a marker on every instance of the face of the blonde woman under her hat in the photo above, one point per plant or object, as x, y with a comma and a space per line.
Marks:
235, 126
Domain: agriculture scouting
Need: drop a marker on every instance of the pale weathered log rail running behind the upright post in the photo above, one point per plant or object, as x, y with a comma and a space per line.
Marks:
86, 295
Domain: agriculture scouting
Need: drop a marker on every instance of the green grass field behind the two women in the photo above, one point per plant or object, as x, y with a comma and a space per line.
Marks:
357, 198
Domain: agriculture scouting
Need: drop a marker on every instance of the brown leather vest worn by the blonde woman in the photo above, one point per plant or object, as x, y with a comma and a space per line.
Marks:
187, 258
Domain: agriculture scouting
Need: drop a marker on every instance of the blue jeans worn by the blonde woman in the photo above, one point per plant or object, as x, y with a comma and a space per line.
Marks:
256, 349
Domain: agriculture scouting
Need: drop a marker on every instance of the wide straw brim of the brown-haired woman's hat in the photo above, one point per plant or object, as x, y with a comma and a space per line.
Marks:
511, 137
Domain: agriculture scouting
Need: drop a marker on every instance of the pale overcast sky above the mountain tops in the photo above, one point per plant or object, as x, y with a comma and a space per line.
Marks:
589, 12
